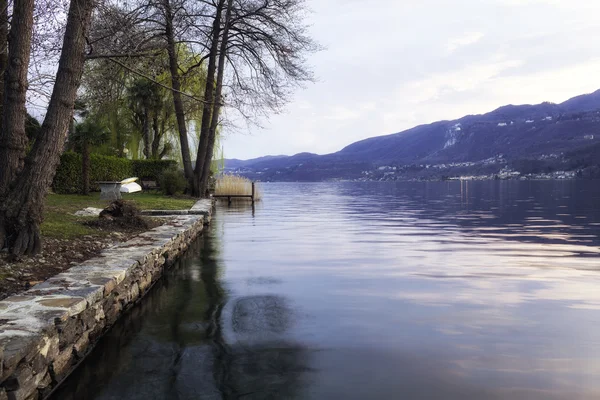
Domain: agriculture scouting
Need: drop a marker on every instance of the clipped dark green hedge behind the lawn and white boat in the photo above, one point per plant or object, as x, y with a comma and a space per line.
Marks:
104, 168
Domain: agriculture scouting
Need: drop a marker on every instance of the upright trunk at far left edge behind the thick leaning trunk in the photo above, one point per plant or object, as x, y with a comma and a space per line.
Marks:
13, 139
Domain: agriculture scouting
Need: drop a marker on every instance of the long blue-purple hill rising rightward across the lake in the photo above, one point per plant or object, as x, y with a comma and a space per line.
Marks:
564, 132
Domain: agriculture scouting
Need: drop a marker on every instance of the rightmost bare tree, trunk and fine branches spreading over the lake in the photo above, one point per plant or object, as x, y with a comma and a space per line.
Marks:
263, 44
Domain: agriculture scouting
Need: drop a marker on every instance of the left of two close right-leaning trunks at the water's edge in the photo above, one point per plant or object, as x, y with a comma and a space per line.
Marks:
208, 101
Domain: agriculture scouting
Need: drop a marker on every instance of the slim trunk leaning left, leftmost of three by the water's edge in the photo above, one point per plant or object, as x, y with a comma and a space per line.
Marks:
176, 92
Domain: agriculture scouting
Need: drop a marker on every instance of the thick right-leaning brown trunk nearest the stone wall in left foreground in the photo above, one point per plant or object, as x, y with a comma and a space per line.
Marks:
21, 213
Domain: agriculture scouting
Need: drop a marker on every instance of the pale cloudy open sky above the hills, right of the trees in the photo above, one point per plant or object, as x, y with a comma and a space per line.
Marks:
389, 65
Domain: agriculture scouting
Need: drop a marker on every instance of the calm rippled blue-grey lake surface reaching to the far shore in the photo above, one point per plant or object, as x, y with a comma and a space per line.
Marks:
440, 290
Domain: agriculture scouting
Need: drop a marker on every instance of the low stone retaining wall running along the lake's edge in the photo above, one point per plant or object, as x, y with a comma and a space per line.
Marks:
47, 330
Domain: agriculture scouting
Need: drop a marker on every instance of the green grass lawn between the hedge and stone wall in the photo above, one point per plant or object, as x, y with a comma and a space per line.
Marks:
59, 221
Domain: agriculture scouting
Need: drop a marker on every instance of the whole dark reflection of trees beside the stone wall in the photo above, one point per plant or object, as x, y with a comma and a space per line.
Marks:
185, 341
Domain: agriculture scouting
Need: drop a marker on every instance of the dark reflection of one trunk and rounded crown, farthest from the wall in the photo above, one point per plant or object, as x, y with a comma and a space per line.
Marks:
259, 365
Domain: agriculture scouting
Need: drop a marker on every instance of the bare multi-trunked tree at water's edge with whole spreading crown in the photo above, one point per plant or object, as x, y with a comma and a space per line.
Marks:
253, 52
